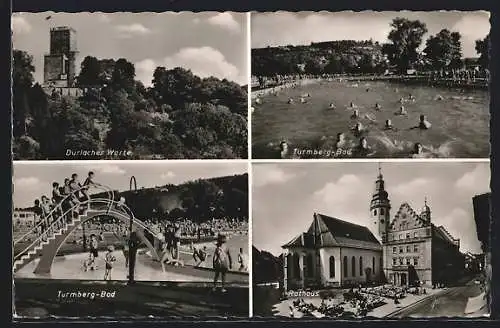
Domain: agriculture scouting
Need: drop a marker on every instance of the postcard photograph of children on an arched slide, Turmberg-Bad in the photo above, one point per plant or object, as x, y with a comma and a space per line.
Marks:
131, 239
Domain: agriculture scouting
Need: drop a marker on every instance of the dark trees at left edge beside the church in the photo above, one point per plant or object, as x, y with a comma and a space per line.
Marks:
266, 267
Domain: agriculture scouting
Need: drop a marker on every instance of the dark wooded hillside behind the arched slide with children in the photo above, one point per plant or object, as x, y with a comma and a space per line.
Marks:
198, 200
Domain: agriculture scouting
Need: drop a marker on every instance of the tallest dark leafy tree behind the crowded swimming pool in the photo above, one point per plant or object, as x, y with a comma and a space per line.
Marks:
406, 36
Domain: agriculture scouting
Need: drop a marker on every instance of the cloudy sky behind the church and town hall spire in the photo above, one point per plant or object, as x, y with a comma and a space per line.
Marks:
285, 196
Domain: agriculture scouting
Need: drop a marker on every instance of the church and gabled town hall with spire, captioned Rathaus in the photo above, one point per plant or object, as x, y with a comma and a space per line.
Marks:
404, 250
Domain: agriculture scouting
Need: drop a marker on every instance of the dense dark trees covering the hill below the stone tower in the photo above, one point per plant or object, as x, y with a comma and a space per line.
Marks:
180, 116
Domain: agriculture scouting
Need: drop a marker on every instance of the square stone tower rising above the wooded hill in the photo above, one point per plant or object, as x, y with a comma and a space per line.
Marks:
59, 64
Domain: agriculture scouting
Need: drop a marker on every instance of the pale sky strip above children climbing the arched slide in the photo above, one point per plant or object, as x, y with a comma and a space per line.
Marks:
32, 180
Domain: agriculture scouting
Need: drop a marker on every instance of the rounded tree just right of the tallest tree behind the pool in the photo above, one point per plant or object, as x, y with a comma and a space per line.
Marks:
444, 50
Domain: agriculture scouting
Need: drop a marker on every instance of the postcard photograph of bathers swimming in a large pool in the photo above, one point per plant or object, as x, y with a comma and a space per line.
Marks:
370, 84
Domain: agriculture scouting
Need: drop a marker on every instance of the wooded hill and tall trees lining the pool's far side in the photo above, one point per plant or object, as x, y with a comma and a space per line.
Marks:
441, 51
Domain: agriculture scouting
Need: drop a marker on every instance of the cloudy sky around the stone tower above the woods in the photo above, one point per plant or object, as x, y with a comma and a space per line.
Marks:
209, 43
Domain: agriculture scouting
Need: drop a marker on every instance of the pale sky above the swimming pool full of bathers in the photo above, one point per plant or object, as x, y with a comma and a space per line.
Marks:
287, 28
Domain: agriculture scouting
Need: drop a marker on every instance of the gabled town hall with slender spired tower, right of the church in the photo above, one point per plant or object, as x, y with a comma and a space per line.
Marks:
415, 251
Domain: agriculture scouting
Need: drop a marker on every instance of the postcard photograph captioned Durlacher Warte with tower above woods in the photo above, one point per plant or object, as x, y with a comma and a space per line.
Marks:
130, 85
